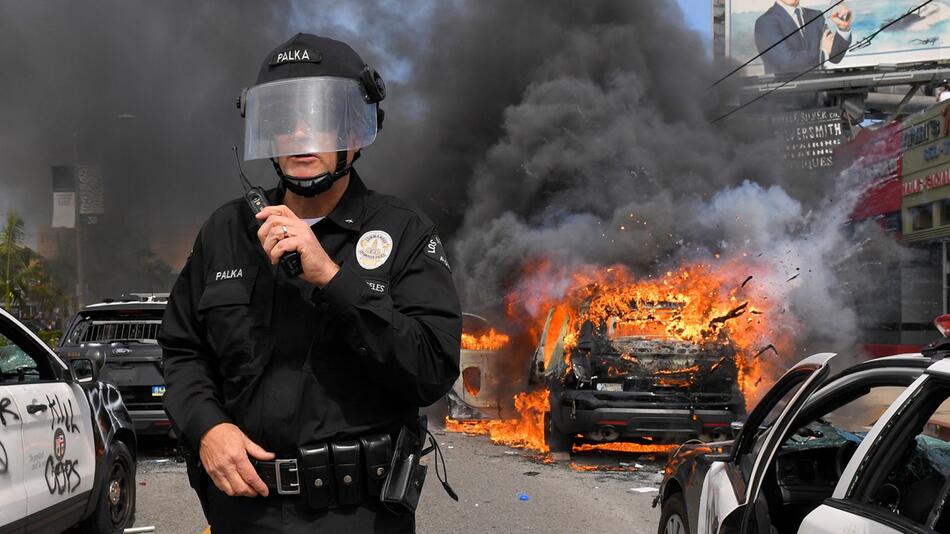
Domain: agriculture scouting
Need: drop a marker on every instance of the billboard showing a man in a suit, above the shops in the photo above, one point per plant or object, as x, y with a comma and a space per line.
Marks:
754, 25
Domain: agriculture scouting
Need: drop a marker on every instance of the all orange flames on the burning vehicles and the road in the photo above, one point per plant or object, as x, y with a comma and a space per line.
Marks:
705, 304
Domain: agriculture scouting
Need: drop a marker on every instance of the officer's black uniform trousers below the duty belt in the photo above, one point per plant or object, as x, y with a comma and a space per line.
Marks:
287, 514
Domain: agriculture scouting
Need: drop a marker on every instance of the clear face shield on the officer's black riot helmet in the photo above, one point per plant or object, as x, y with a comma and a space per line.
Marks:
305, 116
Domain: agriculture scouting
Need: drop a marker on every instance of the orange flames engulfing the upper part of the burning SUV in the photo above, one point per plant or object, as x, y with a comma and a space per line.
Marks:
701, 303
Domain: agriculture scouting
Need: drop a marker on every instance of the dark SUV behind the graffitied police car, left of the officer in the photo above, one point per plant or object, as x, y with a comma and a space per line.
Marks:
120, 337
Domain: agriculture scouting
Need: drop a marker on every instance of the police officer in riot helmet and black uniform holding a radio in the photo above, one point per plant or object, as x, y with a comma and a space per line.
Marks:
263, 368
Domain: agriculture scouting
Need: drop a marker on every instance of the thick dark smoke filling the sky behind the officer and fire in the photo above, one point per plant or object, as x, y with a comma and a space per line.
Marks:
575, 130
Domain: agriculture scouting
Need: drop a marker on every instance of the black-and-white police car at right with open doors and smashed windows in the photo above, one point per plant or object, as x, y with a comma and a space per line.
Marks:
866, 449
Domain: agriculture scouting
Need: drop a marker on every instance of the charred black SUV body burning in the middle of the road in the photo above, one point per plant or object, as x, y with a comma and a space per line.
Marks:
622, 378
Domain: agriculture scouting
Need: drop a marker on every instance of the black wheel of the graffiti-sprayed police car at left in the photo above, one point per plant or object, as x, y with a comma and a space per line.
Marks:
115, 510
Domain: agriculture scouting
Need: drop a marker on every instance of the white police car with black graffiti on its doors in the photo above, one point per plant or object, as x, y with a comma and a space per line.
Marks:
67, 448
